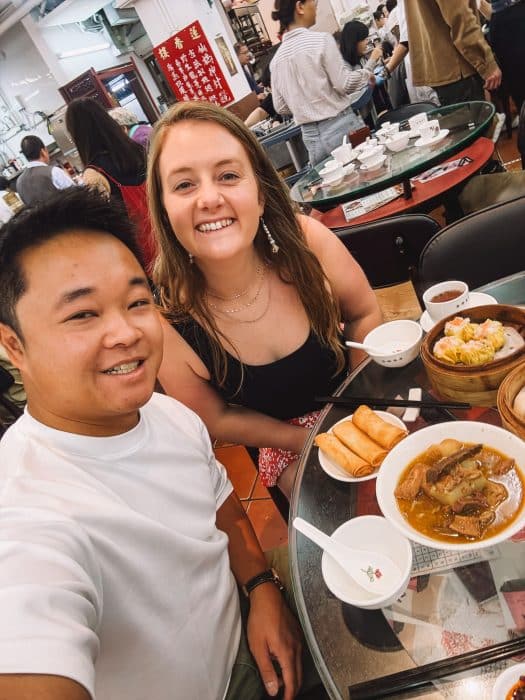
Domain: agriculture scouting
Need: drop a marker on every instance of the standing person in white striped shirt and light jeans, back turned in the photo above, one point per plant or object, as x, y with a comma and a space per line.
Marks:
311, 81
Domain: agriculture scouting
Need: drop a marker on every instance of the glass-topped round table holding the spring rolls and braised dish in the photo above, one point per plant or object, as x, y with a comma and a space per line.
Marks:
458, 625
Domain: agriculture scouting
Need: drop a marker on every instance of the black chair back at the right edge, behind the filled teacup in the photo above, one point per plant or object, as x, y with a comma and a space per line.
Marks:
477, 249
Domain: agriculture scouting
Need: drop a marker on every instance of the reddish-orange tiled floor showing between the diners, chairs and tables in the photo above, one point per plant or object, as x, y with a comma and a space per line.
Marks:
396, 302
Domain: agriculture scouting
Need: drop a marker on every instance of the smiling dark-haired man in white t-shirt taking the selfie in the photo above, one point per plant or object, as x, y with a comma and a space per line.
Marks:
121, 541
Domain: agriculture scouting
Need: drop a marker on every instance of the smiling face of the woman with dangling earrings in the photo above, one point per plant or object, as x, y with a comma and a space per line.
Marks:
209, 191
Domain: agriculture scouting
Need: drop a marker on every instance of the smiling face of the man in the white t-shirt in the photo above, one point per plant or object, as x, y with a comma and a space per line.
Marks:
92, 340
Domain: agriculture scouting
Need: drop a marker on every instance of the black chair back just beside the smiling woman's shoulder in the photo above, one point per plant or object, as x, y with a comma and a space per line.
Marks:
388, 250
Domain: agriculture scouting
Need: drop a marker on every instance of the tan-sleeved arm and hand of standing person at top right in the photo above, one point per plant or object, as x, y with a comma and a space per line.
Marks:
466, 34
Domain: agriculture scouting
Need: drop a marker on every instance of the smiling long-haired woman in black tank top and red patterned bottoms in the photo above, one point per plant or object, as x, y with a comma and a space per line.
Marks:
254, 294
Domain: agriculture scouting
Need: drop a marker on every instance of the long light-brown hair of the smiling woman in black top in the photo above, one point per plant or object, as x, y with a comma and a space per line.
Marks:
181, 285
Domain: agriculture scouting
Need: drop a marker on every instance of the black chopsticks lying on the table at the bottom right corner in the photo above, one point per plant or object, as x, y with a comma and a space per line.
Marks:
418, 677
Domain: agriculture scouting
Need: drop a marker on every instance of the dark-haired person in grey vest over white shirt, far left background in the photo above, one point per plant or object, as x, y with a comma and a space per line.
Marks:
39, 180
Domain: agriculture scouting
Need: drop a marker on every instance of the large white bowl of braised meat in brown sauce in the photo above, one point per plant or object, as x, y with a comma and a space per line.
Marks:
457, 485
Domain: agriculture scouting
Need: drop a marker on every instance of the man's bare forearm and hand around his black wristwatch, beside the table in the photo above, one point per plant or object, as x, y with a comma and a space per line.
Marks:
273, 632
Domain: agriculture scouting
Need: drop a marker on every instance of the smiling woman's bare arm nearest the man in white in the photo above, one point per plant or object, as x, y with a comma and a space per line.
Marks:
184, 376
